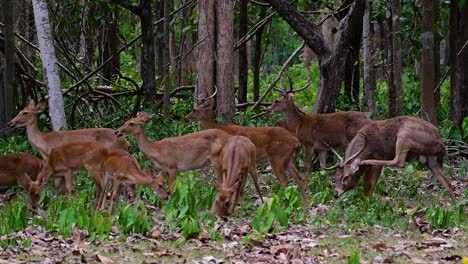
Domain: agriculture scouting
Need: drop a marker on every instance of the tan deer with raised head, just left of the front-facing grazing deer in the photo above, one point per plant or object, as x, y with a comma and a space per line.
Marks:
175, 154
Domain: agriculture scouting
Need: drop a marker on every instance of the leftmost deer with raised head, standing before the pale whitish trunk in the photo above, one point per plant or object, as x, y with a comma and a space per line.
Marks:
44, 142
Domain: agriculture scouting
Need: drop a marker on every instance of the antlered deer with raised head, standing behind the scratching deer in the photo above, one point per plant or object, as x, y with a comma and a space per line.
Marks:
317, 132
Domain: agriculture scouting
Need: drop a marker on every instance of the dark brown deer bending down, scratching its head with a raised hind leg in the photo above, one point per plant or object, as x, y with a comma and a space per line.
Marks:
390, 142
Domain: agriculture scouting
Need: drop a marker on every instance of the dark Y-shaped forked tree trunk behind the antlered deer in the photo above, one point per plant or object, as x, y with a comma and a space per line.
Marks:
331, 61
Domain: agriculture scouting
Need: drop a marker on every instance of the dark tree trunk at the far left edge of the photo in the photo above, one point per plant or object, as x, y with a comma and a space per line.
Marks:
7, 104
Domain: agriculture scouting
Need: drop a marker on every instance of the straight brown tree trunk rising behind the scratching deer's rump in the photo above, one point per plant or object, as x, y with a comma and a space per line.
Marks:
428, 74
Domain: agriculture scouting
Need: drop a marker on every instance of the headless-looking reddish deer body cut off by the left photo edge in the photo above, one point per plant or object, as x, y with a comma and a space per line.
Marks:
14, 166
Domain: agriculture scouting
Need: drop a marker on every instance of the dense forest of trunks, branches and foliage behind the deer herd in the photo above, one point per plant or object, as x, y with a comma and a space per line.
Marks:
387, 58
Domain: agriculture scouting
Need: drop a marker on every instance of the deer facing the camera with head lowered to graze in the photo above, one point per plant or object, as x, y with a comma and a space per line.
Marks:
237, 159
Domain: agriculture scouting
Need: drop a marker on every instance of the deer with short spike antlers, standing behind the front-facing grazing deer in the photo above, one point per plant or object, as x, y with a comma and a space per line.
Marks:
276, 145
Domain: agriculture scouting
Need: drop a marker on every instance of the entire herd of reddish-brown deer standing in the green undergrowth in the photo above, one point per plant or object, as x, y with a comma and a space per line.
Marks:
231, 150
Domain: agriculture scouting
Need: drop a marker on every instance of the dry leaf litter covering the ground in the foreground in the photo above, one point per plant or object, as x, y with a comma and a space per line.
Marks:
329, 241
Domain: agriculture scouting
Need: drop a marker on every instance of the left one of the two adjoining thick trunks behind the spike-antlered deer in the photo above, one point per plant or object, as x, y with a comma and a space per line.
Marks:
206, 49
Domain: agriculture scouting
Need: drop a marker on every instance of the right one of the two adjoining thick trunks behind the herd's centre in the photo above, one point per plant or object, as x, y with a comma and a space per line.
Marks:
224, 59
